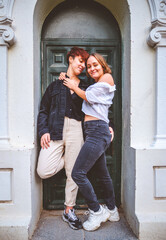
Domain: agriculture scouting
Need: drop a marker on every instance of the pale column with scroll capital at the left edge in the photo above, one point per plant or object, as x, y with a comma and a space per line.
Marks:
6, 40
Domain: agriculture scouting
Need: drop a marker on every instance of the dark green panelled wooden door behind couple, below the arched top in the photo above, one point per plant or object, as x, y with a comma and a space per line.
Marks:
54, 61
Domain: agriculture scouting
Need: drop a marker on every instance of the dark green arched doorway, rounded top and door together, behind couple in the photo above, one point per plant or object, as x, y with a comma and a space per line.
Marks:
89, 25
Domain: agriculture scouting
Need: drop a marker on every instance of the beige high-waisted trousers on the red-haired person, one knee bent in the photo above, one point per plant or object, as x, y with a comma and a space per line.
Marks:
63, 153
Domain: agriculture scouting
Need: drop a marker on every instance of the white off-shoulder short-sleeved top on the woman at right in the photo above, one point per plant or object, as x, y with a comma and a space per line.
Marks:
99, 96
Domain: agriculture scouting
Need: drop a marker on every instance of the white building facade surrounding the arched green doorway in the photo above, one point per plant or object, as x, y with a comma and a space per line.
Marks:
143, 179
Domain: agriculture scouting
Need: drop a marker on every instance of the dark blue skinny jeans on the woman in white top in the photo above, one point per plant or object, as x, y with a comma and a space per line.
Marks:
92, 154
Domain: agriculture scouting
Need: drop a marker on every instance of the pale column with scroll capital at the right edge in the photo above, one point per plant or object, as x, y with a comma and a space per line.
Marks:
157, 40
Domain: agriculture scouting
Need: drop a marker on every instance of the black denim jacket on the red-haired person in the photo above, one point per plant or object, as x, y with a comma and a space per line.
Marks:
53, 107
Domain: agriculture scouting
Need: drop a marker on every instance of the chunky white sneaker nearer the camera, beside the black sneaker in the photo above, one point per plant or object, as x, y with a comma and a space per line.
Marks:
96, 218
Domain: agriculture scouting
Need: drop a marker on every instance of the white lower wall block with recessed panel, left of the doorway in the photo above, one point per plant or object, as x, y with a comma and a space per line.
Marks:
20, 194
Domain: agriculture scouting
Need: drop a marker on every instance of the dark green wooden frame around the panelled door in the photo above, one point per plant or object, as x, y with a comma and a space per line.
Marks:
118, 126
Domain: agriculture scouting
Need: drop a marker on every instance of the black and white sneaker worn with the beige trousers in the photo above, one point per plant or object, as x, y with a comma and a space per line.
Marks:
72, 219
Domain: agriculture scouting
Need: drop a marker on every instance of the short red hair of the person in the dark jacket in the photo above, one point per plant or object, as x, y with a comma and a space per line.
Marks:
75, 51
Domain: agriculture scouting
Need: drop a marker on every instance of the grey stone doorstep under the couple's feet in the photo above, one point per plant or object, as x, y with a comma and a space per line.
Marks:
50, 225
